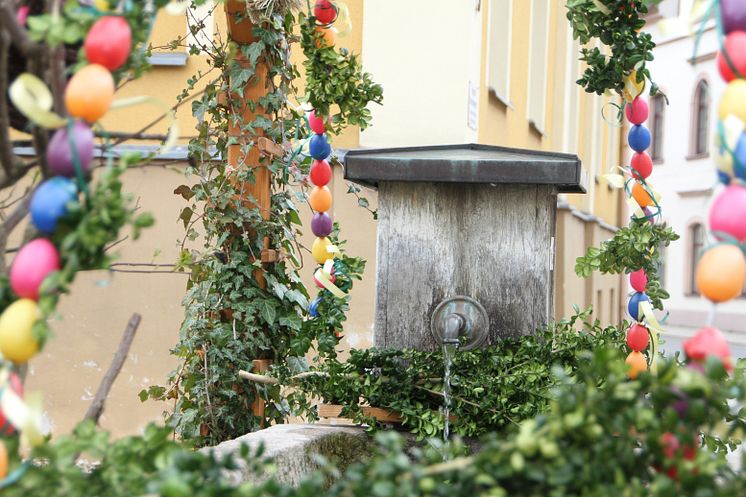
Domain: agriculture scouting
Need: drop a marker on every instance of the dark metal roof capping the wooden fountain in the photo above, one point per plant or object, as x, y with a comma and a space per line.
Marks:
469, 163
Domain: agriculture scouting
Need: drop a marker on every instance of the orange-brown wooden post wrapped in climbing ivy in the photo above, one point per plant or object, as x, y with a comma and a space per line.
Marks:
240, 30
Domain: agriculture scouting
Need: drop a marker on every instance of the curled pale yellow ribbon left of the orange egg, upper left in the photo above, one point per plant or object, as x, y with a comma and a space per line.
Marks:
33, 99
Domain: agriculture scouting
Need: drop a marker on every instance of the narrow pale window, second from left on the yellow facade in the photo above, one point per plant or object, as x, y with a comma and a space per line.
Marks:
537, 68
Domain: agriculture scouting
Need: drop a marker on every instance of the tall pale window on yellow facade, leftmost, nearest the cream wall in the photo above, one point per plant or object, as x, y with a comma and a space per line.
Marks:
498, 61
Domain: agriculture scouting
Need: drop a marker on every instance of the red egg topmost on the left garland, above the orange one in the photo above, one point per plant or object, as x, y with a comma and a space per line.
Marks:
109, 42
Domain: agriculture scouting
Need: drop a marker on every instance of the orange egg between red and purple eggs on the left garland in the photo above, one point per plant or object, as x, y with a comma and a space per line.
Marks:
89, 93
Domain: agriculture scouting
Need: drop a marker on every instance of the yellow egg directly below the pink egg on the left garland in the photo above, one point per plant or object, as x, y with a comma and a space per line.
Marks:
17, 342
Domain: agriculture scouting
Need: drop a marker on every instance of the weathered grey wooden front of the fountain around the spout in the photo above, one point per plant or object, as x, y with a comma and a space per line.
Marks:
438, 240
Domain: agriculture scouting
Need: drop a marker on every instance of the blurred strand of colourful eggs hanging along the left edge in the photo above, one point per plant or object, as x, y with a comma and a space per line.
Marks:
88, 96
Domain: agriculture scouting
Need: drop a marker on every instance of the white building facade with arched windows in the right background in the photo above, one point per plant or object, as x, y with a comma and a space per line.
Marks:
685, 173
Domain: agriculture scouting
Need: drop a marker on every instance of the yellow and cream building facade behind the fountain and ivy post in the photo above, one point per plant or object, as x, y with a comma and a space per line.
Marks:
498, 72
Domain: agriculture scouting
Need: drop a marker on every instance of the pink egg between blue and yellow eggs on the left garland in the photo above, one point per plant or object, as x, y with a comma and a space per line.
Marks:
34, 262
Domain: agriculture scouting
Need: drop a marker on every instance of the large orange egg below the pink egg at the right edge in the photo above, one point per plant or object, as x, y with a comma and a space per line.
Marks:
721, 273
